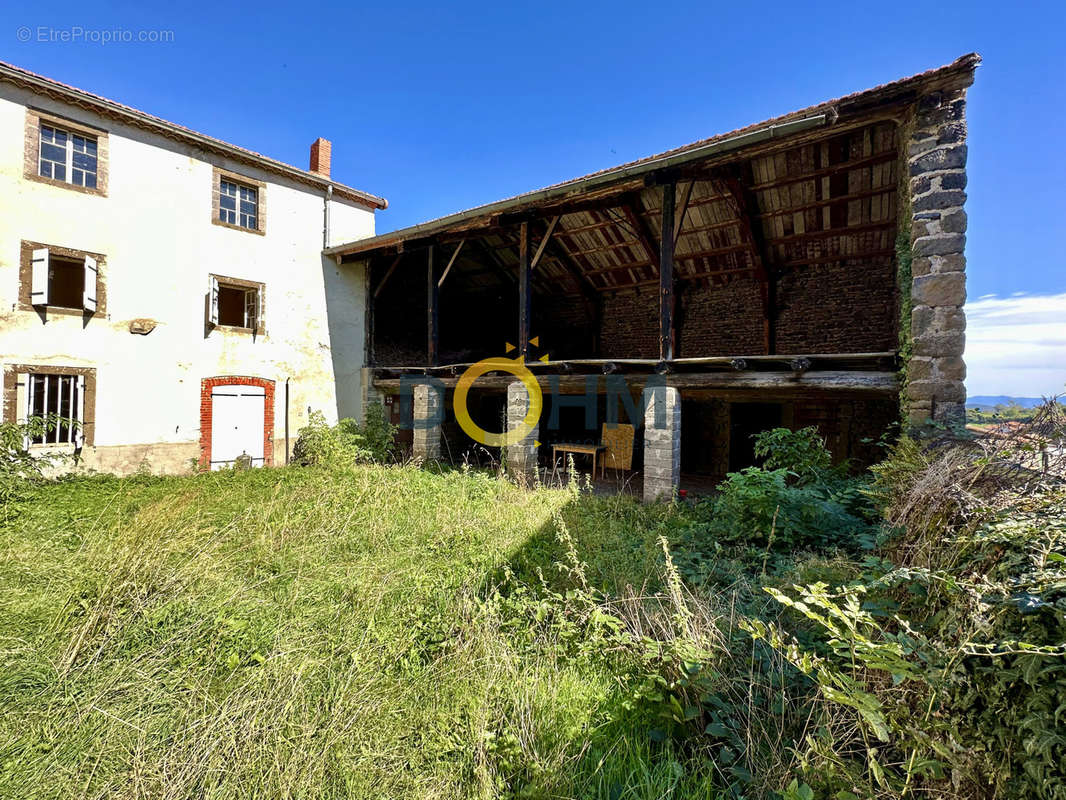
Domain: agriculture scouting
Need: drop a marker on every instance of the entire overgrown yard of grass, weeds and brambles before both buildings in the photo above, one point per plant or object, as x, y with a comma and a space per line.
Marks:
386, 632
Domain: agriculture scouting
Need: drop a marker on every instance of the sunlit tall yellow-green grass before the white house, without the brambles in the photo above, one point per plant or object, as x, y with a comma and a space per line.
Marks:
304, 633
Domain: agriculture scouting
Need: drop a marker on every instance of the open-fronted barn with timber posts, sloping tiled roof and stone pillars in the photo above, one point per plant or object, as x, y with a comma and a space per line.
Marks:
804, 271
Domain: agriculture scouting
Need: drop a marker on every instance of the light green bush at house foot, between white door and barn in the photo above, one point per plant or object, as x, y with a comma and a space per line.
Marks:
346, 443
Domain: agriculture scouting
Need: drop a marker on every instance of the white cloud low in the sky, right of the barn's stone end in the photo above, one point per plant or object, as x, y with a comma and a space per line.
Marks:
1017, 345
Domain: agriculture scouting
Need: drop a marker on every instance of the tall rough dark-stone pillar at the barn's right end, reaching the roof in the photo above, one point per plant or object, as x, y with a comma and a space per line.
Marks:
938, 166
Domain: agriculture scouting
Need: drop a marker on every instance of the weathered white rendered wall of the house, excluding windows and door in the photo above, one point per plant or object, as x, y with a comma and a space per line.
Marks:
155, 230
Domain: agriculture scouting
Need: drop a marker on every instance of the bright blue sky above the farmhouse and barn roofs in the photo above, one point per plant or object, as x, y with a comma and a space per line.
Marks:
442, 106
